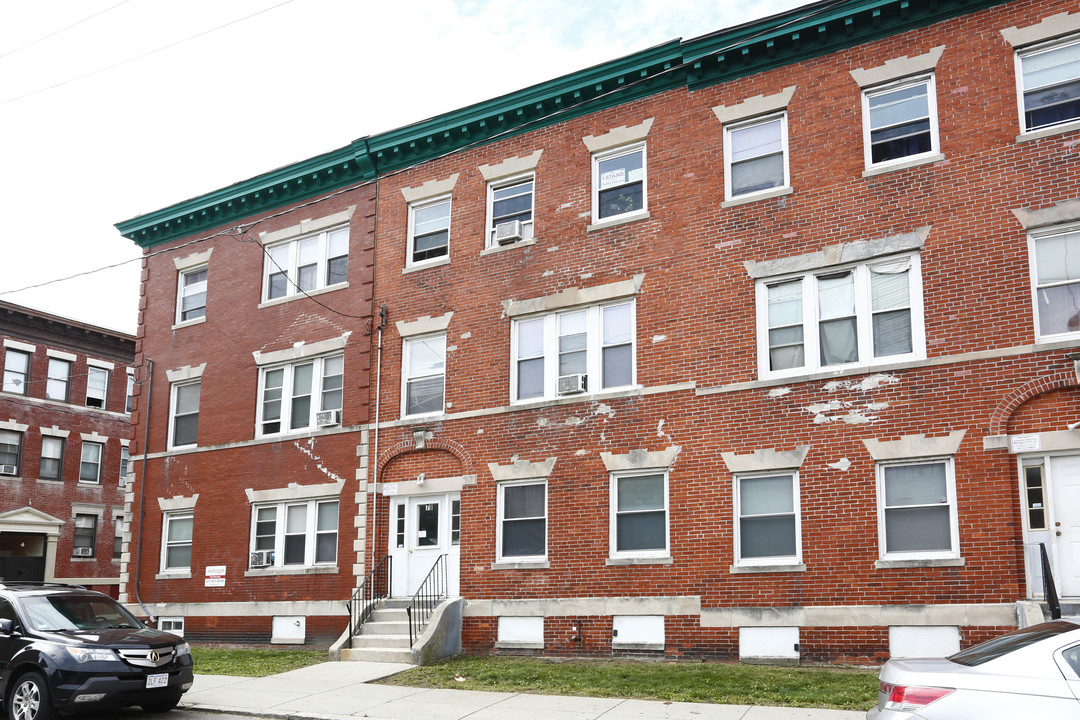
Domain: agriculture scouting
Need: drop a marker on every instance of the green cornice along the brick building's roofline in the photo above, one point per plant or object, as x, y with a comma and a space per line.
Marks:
802, 34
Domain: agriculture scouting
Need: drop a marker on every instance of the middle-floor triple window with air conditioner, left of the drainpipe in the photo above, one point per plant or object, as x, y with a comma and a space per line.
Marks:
293, 395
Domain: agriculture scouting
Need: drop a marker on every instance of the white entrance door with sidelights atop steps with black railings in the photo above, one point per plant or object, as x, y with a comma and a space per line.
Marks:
422, 529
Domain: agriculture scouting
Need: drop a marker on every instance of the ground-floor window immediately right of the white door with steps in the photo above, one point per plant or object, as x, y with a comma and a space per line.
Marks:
523, 521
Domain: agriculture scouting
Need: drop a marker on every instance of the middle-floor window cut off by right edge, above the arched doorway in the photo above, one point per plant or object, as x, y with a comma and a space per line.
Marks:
1056, 282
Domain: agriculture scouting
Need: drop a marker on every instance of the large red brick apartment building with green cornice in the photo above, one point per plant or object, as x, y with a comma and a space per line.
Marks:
759, 345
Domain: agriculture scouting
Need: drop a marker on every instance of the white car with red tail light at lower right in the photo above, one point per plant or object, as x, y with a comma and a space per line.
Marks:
1032, 673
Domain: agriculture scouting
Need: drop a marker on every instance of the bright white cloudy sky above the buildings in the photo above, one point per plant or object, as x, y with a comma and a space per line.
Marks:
151, 103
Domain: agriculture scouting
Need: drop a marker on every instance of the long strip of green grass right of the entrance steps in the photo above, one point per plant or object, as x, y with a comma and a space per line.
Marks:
839, 688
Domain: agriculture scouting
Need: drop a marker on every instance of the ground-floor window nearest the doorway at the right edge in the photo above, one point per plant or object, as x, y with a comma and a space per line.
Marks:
917, 515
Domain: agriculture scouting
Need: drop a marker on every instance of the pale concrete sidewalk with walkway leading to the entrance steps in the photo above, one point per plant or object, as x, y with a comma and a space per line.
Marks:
332, 691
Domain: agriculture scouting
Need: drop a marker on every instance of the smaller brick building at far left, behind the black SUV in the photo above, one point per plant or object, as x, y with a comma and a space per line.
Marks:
64, 449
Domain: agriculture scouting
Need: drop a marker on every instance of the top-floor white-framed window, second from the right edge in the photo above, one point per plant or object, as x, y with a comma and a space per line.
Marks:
900, 121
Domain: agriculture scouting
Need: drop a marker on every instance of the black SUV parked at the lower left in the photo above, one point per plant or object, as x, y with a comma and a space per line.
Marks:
65, 649
